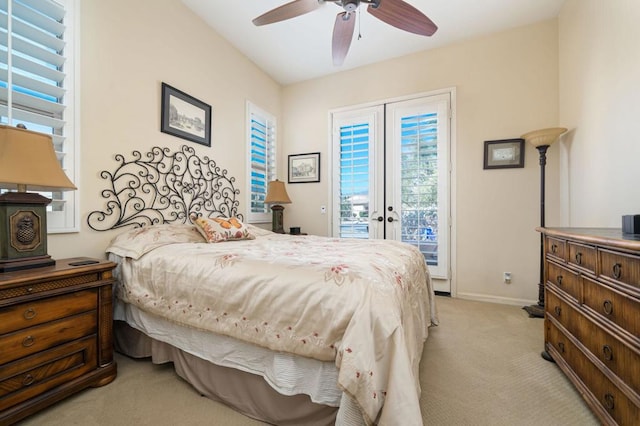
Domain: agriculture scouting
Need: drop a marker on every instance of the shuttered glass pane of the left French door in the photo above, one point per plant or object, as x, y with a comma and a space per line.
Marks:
354, 181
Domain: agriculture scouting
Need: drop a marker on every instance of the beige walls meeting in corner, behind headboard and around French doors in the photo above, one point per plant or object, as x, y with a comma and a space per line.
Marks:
507, 84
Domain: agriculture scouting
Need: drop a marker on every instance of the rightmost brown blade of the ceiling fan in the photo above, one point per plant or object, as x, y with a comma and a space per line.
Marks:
401, 14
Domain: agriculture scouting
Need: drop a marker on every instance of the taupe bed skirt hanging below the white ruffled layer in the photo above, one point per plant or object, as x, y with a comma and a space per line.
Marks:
245, 392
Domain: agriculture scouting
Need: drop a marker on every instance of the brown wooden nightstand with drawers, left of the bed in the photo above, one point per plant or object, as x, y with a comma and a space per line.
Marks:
55, 334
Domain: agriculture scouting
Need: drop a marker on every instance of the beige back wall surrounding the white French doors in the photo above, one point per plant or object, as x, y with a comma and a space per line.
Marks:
507, 84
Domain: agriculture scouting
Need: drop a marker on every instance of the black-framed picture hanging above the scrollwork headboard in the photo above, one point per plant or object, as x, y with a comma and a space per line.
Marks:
185, 116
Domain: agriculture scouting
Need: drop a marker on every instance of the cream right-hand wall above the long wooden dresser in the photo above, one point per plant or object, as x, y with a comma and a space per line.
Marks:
600, 104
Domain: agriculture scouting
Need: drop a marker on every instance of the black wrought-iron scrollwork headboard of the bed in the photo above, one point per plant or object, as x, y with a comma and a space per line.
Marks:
164, 187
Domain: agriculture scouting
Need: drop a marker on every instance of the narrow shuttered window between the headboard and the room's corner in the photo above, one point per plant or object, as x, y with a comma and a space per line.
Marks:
261, 137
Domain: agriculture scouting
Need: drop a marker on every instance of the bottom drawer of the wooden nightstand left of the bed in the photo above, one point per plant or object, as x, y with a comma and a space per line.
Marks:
34, 375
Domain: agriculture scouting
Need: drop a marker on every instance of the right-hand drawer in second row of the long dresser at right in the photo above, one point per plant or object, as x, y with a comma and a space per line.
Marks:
613, 305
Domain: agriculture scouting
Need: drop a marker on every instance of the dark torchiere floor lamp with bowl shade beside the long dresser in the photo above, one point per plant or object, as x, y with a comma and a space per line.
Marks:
541, 139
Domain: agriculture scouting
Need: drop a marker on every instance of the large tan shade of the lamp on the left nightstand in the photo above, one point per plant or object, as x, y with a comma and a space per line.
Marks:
28, 161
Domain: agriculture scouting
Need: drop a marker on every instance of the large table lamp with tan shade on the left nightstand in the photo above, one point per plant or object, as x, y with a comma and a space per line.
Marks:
27, 162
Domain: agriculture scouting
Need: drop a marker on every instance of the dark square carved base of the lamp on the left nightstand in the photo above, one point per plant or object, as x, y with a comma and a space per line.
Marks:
23, 231
